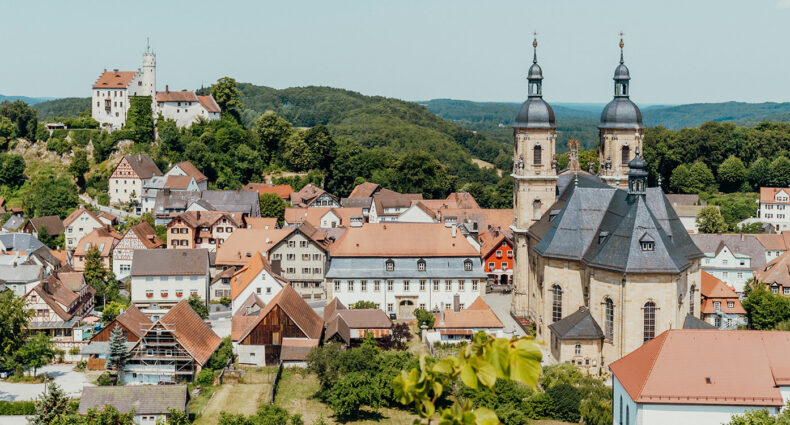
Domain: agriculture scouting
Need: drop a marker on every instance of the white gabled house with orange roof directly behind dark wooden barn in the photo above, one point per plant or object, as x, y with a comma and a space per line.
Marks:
256, 277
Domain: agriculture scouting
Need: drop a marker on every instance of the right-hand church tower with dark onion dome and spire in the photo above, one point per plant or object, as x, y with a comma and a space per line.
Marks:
620, 131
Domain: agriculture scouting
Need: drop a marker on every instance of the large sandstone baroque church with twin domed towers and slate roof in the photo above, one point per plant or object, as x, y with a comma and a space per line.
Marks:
602, 262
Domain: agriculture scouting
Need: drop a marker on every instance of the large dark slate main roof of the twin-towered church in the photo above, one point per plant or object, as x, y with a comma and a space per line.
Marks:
602, 227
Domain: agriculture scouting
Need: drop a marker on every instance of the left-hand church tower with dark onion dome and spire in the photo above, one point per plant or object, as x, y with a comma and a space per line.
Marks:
534, 173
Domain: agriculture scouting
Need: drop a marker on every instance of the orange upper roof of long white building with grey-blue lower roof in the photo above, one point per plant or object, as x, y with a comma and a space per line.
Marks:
402, 240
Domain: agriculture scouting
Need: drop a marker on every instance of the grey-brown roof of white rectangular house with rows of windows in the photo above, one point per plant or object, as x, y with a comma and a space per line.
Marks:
169, 262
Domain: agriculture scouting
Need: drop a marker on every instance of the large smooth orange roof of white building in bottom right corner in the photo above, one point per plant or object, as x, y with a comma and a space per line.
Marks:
676, 366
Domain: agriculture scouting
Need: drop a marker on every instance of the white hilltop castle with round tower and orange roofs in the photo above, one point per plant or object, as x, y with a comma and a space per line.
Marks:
112, 91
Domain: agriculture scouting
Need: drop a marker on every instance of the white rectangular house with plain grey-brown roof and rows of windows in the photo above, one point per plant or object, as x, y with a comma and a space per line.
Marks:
162, 278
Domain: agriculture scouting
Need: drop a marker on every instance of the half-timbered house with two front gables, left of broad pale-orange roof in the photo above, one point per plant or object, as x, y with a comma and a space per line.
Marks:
202, 229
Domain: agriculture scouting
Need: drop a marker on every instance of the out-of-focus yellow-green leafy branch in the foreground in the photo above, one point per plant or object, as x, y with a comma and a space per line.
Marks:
478, 364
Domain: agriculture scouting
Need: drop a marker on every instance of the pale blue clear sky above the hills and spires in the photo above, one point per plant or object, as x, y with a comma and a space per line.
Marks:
678, 51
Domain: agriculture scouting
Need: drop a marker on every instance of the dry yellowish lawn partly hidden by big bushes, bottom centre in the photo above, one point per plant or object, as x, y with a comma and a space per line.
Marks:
296, 394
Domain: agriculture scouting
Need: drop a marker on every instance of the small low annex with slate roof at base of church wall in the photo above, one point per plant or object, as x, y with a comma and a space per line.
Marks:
577, 339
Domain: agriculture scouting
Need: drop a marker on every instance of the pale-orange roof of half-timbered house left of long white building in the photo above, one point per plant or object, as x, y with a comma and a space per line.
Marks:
242, 243
